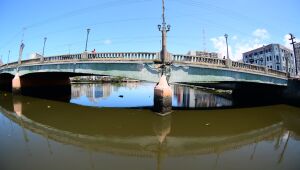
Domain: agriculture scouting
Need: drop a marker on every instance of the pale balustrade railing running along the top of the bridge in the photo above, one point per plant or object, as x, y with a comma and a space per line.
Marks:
150, 56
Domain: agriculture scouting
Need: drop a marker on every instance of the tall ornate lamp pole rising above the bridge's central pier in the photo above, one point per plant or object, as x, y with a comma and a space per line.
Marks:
164, 28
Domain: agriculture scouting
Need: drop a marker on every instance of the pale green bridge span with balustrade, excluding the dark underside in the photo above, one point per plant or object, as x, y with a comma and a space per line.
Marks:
146, 66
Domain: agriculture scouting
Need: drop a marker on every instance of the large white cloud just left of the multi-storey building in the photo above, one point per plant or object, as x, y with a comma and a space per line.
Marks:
241, 46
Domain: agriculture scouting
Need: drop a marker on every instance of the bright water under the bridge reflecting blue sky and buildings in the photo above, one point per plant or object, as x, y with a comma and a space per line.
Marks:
141, 95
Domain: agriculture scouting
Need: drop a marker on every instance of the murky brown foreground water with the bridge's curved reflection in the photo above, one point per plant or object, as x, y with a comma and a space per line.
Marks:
57, 134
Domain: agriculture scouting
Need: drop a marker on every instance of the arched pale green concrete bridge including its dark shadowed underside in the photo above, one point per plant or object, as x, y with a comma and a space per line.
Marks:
55, 71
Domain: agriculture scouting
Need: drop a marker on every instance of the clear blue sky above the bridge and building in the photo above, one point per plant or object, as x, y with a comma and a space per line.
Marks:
131, 25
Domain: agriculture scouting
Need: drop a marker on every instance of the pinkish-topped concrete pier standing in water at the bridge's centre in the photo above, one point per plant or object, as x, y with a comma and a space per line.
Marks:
162, 97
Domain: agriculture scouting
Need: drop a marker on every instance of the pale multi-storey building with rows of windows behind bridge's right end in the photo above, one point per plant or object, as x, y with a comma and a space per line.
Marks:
273, 56
